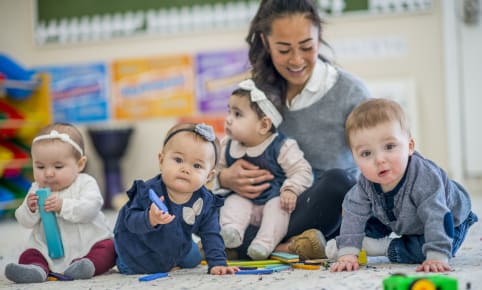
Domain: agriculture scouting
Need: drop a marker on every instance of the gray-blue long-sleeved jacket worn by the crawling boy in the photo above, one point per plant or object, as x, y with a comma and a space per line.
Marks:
421, 206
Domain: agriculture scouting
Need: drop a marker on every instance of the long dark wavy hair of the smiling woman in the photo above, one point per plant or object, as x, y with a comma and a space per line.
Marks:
263, 70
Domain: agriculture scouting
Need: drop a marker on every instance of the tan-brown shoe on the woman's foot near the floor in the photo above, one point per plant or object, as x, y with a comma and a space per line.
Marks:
308, 245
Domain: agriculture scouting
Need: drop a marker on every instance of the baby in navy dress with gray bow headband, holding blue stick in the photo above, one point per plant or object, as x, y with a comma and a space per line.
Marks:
149, 239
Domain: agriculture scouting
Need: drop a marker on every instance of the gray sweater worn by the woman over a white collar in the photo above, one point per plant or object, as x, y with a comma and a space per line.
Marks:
319, 128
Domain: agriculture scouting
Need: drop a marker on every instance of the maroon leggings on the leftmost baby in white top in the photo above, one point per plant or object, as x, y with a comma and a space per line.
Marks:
102, 255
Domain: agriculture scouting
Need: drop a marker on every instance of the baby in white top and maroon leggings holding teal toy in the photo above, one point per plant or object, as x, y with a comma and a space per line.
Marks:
58, 161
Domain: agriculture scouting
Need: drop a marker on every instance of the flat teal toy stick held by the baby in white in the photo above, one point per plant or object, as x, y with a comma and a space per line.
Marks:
51, 228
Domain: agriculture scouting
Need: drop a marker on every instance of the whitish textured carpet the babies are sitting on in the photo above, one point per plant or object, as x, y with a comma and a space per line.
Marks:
467, 268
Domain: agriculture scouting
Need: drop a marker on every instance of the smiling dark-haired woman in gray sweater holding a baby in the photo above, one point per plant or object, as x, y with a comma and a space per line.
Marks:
284, 40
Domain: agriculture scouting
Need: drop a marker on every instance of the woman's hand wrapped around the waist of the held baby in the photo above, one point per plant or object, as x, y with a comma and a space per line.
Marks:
245, 179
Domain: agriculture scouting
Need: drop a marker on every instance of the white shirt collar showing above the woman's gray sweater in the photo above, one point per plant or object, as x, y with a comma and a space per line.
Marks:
321, 81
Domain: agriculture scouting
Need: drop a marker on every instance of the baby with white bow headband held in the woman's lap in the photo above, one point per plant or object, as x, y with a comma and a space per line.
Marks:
251, 136
